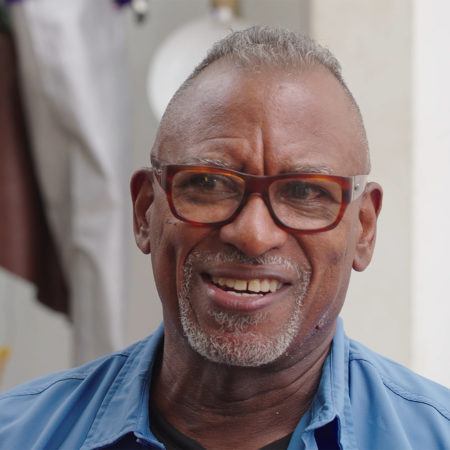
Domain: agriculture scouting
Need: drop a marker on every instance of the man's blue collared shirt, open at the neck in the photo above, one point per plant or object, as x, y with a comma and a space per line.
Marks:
364, 401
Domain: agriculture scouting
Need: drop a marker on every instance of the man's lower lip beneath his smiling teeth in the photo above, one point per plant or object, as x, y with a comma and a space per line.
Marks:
235, 303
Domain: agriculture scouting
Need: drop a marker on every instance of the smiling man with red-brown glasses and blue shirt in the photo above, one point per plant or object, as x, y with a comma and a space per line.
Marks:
255, 211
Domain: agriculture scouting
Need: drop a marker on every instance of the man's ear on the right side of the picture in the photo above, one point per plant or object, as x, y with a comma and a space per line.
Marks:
368, 214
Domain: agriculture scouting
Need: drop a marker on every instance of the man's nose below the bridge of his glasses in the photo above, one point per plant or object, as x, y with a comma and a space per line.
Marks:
253, 231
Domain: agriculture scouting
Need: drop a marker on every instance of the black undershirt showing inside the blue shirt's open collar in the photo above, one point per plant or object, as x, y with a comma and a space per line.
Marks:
173, 439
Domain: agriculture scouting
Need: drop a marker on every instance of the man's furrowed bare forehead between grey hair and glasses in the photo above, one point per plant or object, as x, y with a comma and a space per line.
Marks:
266, 122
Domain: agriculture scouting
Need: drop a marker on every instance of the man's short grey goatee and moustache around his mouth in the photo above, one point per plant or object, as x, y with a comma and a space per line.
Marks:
237, 345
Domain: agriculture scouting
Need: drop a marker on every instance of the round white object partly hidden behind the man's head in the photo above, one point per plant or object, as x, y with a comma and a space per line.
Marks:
178, 55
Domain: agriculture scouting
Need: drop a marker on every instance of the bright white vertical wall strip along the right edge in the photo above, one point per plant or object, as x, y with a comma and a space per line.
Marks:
430, 185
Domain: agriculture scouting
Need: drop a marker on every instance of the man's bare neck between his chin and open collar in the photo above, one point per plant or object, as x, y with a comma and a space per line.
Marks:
205, 400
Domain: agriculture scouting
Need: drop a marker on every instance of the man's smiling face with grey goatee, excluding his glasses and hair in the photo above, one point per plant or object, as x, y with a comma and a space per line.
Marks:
264, 123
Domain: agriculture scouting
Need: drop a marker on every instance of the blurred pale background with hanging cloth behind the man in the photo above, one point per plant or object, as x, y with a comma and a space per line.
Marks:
394, 55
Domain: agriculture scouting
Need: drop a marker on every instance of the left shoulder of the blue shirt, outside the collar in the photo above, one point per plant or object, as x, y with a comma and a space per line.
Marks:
62, 405
